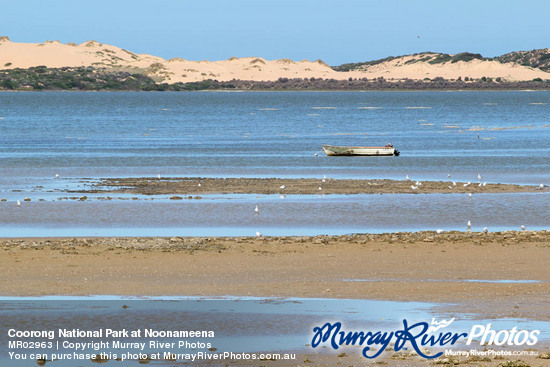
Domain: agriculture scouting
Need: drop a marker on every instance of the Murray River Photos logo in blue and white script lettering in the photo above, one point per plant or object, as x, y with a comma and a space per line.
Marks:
418, 335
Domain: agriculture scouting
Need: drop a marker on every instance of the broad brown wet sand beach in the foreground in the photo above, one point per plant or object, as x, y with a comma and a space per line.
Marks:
452, 267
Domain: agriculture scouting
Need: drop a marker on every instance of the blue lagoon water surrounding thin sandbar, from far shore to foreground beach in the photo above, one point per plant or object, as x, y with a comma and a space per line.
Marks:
504, 136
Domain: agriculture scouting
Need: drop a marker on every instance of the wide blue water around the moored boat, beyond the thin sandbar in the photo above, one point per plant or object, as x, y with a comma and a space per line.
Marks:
271, 134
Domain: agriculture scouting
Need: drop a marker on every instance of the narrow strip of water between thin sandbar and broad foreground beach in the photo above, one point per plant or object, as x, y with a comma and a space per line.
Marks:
233, 215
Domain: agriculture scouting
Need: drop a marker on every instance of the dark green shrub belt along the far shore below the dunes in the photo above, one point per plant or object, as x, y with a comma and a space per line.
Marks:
94, 79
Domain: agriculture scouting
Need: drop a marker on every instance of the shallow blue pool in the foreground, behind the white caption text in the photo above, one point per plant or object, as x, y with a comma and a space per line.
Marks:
239, 324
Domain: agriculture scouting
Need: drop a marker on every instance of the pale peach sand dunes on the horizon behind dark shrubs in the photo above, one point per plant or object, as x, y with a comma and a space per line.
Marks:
55, 54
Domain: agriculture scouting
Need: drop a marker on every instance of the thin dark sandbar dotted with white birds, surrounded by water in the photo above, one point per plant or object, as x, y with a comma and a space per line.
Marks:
304, 186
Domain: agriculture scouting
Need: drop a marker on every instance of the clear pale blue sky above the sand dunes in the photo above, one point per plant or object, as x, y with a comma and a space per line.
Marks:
334, 31
